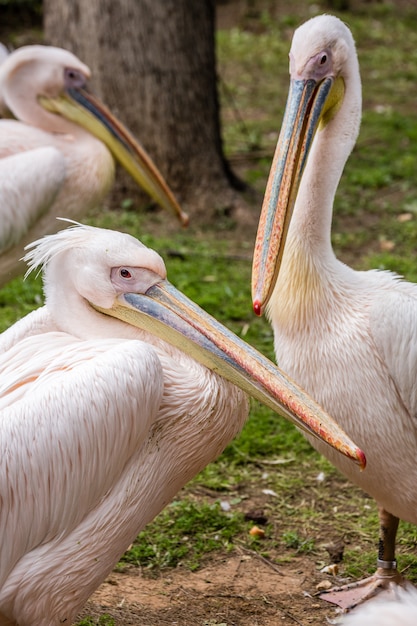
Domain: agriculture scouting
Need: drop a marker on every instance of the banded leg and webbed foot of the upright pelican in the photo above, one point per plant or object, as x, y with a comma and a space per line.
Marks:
385, 577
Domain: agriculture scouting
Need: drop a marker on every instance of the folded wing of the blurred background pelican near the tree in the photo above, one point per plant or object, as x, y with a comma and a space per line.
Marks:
30, 182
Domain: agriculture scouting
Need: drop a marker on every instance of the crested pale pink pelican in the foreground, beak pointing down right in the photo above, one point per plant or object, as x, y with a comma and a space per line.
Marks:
103, 422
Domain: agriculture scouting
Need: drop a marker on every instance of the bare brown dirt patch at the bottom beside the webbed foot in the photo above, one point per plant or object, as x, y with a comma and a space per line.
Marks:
236, 590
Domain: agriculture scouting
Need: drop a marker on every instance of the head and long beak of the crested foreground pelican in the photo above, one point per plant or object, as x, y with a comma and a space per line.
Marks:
97, 275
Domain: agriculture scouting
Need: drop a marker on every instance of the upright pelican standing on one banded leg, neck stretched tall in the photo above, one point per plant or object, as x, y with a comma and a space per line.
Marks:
348, 337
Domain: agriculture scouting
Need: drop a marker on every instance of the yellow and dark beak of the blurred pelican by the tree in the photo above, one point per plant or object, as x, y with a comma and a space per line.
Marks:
79, 106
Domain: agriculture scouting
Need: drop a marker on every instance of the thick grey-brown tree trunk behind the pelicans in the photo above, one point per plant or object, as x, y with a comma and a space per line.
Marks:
153, 63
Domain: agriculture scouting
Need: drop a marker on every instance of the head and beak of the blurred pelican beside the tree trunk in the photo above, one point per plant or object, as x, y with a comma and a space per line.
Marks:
44, 85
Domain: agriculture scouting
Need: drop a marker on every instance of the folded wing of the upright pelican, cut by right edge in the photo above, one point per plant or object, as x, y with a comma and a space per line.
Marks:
393, 320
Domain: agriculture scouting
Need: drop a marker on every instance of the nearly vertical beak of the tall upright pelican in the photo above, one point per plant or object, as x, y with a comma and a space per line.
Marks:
310, 105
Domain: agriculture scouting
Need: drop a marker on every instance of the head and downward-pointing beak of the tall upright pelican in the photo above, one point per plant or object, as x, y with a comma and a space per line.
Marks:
323, 71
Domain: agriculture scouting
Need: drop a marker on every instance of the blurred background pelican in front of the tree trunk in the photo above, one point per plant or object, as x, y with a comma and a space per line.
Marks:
56, 156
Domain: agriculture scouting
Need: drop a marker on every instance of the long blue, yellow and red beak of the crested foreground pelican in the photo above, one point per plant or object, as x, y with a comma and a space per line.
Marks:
167, 313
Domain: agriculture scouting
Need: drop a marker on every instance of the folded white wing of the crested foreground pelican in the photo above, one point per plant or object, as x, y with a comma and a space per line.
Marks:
72, 416
